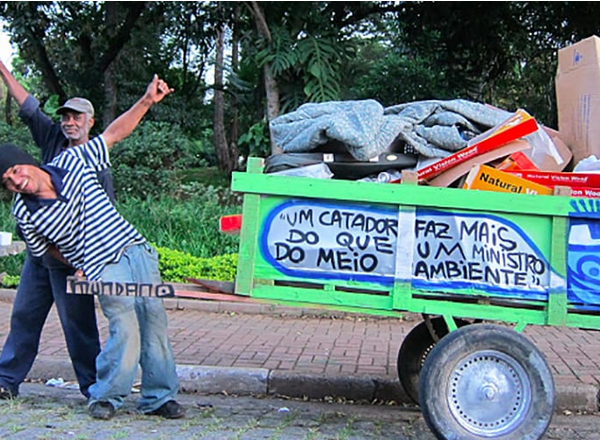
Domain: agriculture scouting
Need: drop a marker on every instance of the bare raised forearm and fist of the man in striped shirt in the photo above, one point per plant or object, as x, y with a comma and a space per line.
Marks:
124, 125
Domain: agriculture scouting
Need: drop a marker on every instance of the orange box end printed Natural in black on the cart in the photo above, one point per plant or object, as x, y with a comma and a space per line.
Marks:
487, 178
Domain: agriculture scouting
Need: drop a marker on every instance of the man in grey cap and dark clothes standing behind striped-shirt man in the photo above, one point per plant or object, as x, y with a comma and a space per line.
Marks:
43, 280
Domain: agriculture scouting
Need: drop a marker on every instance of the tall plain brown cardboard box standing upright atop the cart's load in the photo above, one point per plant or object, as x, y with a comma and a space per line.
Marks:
578, 97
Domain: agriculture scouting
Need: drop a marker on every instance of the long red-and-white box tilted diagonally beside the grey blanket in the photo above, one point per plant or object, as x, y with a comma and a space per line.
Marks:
520, 124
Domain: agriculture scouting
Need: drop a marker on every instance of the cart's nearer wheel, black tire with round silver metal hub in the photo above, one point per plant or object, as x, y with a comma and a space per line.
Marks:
486, 382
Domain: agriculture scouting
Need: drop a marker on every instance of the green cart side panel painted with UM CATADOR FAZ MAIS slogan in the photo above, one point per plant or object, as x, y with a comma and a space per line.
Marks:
355, 254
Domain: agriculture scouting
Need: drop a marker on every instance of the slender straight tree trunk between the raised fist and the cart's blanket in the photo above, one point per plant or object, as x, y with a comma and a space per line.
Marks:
221, 148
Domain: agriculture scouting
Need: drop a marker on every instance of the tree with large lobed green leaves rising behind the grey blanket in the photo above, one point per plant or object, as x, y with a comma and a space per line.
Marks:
302, 48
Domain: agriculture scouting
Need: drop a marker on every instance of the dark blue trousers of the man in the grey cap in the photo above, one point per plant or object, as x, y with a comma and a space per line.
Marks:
43, 283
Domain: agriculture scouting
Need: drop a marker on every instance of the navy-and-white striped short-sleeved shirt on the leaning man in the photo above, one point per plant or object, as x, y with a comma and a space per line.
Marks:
81, 222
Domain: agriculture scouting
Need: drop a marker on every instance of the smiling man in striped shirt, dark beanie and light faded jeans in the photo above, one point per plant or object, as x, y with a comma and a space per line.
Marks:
62, 210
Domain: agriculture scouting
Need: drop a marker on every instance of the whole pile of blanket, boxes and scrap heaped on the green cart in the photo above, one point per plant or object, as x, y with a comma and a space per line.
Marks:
455, 143
